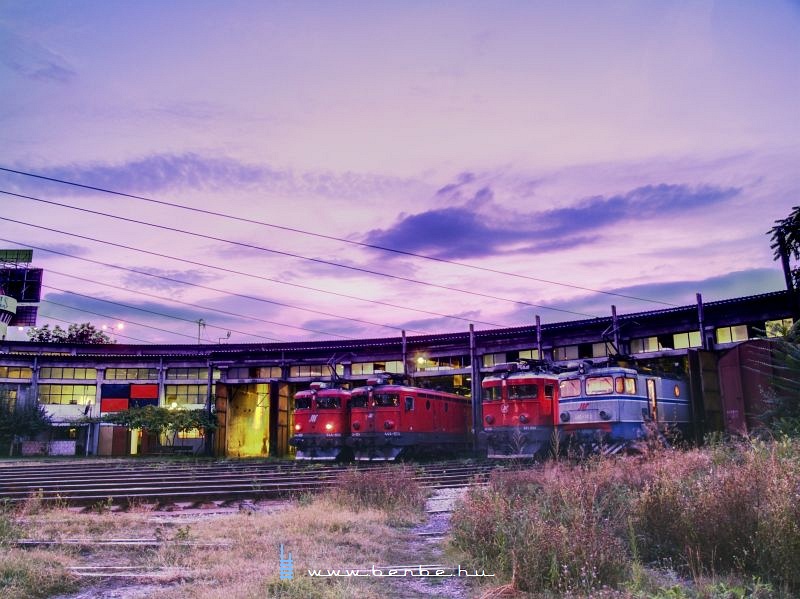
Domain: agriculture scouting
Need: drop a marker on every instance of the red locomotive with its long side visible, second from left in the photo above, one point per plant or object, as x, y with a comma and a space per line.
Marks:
389, 419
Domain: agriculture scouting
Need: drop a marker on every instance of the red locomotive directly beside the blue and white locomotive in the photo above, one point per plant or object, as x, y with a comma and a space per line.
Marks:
520, 410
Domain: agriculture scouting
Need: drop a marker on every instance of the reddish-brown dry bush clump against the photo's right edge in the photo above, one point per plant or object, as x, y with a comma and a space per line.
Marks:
739, 515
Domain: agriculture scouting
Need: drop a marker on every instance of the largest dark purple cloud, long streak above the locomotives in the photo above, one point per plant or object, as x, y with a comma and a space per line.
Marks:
470, 230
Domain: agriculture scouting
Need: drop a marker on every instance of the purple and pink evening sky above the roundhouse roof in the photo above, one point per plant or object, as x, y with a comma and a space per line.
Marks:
638, 148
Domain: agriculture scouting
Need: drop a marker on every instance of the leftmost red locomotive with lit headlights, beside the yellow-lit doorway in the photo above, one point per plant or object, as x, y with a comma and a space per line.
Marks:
321, 422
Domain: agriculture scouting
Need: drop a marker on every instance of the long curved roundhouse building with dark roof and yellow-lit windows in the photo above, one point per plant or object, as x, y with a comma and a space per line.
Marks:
249, 386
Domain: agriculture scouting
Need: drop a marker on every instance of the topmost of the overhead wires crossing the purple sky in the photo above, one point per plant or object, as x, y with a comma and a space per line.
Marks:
330, 237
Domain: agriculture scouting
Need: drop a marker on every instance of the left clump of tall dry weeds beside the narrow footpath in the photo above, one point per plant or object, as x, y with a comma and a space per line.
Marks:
546, 531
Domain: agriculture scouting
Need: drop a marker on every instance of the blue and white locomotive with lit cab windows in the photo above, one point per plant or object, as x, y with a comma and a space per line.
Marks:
613, 406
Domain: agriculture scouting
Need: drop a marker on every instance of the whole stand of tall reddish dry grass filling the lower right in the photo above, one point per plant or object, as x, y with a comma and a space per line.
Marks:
728, 510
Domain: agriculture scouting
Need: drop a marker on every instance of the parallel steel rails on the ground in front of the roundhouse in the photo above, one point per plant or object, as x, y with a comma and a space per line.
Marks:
199, 484
